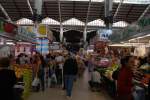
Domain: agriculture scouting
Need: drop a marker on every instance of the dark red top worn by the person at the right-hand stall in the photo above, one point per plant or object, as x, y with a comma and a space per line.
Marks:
124, 83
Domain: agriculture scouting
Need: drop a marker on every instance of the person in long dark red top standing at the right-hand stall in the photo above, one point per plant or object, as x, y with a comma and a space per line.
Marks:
124, 82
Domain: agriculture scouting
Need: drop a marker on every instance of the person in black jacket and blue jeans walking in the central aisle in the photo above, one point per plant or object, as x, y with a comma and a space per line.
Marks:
70, 71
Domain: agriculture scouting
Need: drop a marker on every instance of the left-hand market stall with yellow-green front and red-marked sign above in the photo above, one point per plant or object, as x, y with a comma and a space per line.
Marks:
13, 41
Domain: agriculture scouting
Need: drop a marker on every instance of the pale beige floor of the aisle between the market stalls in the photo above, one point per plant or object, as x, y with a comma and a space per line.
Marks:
80, 92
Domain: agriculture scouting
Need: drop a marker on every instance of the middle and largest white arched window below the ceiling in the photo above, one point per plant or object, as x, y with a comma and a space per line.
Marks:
73, 22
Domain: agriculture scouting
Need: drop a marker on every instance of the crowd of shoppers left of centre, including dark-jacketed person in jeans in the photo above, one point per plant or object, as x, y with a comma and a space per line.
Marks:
54, 70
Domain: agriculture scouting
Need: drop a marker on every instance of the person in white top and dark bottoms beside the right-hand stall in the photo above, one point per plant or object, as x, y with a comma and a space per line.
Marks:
95, 81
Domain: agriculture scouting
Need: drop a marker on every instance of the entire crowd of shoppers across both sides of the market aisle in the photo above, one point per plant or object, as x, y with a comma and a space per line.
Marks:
60, 70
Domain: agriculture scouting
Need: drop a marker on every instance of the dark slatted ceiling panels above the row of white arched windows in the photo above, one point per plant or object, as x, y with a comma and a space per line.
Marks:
129, 11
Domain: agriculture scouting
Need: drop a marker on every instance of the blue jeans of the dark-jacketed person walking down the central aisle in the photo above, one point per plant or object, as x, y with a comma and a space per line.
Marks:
69, 79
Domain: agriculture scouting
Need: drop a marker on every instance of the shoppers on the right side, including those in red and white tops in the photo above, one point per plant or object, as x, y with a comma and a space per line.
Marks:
124, 76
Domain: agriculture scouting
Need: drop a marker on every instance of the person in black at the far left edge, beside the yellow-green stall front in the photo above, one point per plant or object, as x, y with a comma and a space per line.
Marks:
7, 80
